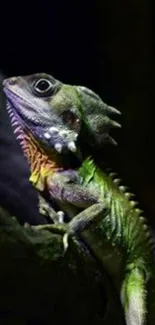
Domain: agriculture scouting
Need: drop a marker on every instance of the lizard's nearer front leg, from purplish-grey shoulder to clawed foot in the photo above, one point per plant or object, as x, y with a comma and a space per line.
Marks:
64, 190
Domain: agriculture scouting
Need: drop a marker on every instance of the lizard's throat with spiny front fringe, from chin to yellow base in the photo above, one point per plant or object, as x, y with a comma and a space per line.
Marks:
41, 163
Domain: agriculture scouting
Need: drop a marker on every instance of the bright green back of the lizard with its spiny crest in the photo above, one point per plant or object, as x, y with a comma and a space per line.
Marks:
126, 222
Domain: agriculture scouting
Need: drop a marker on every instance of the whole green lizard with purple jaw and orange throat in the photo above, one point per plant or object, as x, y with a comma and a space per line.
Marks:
49, 119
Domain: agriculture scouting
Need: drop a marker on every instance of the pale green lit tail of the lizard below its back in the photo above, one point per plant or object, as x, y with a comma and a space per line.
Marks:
133, 297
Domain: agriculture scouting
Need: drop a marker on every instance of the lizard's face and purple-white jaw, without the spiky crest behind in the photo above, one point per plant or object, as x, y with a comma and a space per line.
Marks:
46, 108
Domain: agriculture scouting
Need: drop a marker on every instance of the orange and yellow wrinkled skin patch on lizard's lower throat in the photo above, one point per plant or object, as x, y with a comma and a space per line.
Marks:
41, 164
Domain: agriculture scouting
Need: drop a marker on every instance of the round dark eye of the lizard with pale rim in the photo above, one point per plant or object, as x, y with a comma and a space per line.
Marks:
43, 87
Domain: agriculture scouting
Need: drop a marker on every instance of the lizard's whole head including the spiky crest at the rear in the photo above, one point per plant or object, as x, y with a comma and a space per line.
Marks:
56, 113
